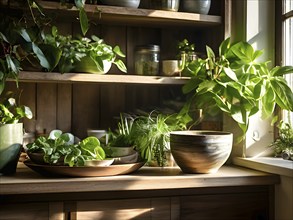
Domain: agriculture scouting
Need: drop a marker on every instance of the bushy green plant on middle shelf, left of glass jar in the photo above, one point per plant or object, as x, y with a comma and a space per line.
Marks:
92, 51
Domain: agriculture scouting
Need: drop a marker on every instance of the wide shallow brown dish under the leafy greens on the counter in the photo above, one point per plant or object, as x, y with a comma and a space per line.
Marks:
49, 170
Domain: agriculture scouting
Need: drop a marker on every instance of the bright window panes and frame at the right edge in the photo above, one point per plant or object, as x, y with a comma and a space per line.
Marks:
285, 37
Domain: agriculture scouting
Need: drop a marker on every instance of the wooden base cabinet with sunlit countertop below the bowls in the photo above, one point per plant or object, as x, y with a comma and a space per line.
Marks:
233, 193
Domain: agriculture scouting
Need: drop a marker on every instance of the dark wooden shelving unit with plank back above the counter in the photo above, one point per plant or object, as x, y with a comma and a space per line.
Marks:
76, 102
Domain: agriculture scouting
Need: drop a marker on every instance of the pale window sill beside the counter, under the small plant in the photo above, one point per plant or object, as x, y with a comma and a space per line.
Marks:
267, 164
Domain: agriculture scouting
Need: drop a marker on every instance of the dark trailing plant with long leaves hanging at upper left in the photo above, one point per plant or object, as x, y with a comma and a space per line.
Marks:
18, 43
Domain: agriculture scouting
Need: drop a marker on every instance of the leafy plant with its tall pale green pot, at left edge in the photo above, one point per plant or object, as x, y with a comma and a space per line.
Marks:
11, 131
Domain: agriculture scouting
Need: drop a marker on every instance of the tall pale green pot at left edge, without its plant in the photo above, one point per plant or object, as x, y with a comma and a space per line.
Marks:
11, 138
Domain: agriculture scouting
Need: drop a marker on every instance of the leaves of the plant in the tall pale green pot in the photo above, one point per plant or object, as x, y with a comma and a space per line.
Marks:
10, 111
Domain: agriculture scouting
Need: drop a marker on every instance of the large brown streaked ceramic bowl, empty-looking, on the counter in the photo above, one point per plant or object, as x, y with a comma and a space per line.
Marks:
200, 151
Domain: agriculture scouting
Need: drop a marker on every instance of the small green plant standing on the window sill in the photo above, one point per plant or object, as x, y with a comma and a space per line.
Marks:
283, 145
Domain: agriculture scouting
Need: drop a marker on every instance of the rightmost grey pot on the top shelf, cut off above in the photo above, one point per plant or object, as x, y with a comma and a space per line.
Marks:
196, 6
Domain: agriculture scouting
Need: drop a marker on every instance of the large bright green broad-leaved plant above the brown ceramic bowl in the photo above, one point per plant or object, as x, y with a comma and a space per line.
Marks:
235, 83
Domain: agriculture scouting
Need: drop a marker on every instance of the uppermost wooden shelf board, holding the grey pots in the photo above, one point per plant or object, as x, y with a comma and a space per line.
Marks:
127, 16
